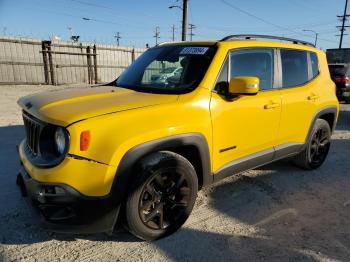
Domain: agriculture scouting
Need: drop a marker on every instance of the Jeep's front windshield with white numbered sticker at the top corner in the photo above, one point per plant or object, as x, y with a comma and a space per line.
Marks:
147, 73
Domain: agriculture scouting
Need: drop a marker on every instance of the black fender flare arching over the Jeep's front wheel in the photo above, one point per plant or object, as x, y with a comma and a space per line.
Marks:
123, 177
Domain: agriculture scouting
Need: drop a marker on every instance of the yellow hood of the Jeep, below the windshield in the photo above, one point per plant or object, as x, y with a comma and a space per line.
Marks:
70, 105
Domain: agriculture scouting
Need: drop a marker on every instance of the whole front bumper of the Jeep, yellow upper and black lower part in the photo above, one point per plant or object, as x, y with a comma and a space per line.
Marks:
61, 206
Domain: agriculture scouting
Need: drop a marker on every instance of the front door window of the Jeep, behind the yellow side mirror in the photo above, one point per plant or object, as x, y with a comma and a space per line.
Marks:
253, 62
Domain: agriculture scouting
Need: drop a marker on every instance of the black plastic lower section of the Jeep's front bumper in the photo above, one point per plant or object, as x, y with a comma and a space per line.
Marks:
63, 209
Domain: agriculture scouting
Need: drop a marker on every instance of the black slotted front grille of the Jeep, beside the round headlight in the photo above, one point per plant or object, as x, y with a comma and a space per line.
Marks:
33, 128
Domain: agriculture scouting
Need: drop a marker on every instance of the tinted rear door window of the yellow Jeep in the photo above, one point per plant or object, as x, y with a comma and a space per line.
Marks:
294, 67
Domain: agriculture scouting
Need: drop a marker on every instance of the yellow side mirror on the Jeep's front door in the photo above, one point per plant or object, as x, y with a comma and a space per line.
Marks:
244, 85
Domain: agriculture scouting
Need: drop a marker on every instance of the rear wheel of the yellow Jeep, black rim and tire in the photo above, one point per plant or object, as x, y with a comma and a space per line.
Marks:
317, 147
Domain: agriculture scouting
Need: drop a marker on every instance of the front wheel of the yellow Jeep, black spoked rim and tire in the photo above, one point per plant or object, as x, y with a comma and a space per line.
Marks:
162, 196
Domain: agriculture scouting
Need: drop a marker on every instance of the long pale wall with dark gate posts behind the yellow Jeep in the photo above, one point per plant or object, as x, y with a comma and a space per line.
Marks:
22, 61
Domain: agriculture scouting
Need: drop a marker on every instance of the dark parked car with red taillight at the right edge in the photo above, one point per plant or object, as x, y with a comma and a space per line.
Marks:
340, 74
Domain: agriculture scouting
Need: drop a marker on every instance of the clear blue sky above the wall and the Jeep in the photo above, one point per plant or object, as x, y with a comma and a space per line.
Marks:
136, 20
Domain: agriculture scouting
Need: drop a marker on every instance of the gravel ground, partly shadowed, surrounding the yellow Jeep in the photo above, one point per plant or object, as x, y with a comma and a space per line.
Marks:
275, 213
